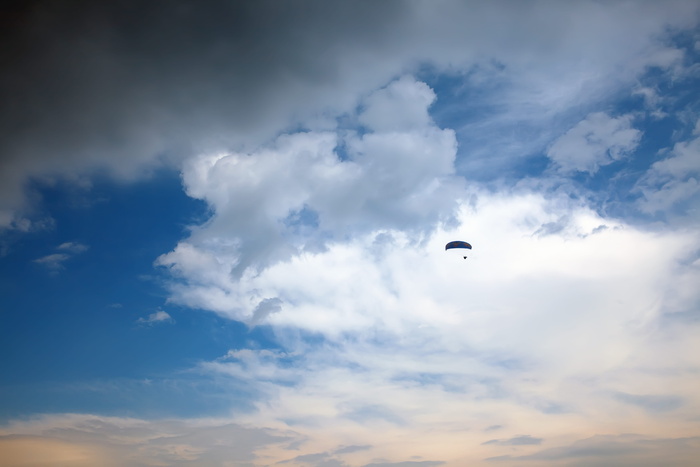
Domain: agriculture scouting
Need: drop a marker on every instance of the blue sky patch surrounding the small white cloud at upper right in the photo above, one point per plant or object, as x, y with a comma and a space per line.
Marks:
669, 115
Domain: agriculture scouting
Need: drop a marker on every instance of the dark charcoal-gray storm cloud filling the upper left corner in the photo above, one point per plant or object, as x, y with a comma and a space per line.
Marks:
126, 85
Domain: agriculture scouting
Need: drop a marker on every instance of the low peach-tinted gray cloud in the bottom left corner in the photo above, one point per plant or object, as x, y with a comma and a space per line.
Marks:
74, 439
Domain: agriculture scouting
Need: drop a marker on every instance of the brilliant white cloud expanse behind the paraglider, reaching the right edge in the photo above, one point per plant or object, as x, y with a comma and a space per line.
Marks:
534, 329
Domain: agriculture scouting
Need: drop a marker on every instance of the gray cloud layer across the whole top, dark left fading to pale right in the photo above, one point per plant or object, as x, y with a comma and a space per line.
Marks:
158, 82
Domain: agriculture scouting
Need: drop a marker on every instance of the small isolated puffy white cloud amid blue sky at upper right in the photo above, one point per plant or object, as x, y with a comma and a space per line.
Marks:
594, 142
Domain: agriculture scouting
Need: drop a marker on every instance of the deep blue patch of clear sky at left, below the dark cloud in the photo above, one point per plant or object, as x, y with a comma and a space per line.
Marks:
87, 319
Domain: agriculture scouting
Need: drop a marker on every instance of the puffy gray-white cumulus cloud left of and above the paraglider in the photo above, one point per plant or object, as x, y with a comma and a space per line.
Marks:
394, 178
